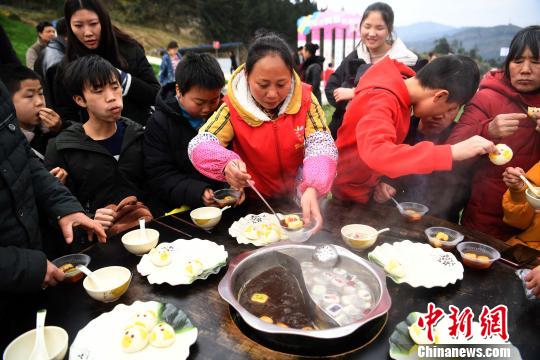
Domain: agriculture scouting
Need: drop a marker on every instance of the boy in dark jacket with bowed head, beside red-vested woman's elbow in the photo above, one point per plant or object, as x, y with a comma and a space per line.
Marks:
181, 109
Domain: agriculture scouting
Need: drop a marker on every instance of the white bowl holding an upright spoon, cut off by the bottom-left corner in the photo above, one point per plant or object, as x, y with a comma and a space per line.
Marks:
56, 340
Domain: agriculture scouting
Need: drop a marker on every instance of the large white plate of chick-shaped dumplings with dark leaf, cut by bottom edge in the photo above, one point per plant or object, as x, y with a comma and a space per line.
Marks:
142, 330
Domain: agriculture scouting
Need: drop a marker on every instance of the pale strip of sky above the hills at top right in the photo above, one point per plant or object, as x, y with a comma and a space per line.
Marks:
456, 13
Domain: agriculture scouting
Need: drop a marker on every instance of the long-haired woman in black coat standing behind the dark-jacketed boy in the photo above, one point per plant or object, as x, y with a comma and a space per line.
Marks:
85, 37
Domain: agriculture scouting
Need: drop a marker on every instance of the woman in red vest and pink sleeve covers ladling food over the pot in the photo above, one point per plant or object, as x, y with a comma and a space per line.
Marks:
275, 128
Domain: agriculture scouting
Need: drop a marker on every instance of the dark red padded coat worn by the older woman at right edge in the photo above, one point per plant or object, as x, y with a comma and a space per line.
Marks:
496, 96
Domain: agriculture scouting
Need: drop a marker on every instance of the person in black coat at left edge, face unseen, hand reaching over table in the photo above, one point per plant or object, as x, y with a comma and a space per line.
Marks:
28, 191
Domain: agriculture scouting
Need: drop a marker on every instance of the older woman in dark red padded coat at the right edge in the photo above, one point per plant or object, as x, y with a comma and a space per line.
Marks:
498, 112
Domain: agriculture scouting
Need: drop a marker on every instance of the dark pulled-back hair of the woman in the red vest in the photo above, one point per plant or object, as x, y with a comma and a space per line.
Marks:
269, 44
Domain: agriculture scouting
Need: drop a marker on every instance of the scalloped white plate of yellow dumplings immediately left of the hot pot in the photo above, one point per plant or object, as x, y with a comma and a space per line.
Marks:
182, 261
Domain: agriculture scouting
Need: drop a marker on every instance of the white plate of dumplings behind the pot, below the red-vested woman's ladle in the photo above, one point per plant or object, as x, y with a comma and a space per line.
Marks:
259, 230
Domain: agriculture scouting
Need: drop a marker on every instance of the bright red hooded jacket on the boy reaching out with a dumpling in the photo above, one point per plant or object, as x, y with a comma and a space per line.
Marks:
370, 141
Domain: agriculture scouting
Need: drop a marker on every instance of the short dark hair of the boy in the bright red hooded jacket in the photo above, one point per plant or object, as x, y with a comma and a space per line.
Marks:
457, 74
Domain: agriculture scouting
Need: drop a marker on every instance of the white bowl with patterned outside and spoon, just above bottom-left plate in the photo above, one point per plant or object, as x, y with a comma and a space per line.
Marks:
114, 281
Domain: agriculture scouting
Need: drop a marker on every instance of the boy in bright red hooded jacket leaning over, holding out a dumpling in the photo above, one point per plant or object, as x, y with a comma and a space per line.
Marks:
370, 141
